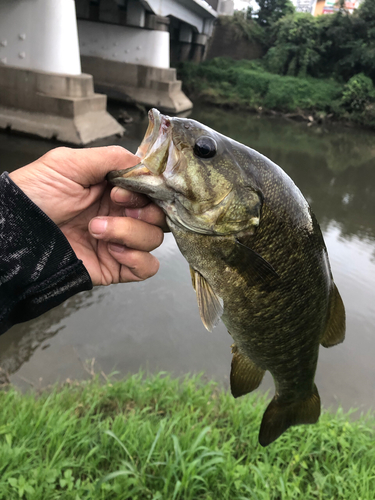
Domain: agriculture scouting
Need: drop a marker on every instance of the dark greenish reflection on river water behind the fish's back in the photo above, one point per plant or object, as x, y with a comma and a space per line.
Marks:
333, 166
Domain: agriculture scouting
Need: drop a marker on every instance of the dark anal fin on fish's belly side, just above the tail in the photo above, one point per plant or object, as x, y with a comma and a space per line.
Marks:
245, 376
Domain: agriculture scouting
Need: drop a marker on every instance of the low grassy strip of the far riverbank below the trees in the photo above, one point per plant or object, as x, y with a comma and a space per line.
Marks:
247, 85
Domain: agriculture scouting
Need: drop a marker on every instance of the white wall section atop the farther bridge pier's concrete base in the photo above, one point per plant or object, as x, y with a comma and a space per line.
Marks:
124, 44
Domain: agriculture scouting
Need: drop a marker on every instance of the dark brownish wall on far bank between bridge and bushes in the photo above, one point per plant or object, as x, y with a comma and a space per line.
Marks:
225, 42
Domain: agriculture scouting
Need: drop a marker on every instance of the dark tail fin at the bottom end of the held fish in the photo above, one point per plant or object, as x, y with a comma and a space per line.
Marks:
279, 416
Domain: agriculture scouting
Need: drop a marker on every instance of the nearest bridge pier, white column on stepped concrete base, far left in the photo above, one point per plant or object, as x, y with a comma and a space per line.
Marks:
42, 89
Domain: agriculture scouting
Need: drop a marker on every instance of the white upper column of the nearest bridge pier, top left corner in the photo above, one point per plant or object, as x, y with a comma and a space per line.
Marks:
39, 34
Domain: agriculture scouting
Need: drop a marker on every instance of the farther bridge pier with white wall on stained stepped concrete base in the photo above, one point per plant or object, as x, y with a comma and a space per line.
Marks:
127, 52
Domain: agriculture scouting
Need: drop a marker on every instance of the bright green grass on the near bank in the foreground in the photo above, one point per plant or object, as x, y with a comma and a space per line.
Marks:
161, 438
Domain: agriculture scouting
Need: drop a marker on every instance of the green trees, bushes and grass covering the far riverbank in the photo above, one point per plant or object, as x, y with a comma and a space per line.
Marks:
313, 67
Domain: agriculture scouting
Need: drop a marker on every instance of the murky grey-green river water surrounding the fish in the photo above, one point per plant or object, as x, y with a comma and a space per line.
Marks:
155, 325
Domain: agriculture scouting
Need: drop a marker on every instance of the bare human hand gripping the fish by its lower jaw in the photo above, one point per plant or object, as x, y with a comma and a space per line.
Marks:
69, 186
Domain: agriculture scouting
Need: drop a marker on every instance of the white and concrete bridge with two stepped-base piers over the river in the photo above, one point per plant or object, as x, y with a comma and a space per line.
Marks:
53, 53
